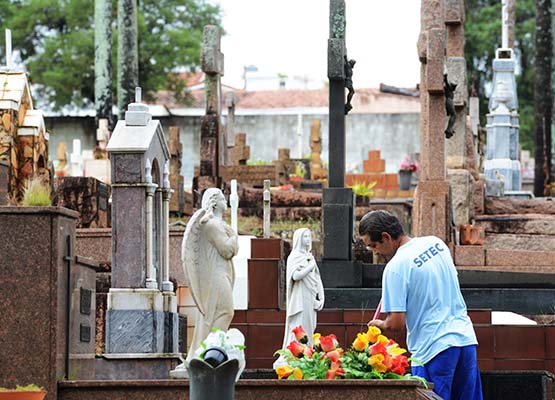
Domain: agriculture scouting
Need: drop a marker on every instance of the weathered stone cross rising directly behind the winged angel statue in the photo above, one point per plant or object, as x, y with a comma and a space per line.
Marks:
212, 64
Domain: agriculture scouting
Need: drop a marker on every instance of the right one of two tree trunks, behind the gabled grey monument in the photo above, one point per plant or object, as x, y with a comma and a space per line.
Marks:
128, 54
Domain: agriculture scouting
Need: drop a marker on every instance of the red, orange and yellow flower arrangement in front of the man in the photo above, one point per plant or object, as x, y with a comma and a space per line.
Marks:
371, 356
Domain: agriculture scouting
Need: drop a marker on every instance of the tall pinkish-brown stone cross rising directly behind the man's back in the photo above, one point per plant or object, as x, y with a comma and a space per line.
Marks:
431, 208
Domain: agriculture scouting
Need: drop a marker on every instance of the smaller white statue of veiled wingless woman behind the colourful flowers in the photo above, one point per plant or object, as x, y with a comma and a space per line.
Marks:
305, 291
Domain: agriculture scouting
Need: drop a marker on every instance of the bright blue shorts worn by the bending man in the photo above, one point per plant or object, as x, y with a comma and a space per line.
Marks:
454, 373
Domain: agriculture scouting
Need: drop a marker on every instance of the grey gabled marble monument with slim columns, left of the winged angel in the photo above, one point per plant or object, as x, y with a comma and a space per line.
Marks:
142, 306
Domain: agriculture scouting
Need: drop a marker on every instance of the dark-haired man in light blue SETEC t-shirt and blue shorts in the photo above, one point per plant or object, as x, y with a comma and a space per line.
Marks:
420, 289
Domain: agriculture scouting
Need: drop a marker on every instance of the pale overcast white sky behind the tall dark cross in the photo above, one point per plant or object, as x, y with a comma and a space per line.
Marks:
290, 37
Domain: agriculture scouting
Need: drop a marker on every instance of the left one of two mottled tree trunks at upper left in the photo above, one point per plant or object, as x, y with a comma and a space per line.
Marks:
103, 60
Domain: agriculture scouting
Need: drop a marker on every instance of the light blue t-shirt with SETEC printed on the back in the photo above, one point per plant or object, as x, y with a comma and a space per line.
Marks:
421, 280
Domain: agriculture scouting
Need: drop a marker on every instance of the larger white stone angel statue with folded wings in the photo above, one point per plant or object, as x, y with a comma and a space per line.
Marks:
209, 244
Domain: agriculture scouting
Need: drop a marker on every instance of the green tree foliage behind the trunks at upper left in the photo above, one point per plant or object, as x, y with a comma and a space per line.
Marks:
56, 42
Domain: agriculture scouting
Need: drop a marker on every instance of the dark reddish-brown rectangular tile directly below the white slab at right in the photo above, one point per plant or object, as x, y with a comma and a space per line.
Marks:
512, 342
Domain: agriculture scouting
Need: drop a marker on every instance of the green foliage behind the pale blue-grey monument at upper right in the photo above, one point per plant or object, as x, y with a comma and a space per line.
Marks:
483, 37
